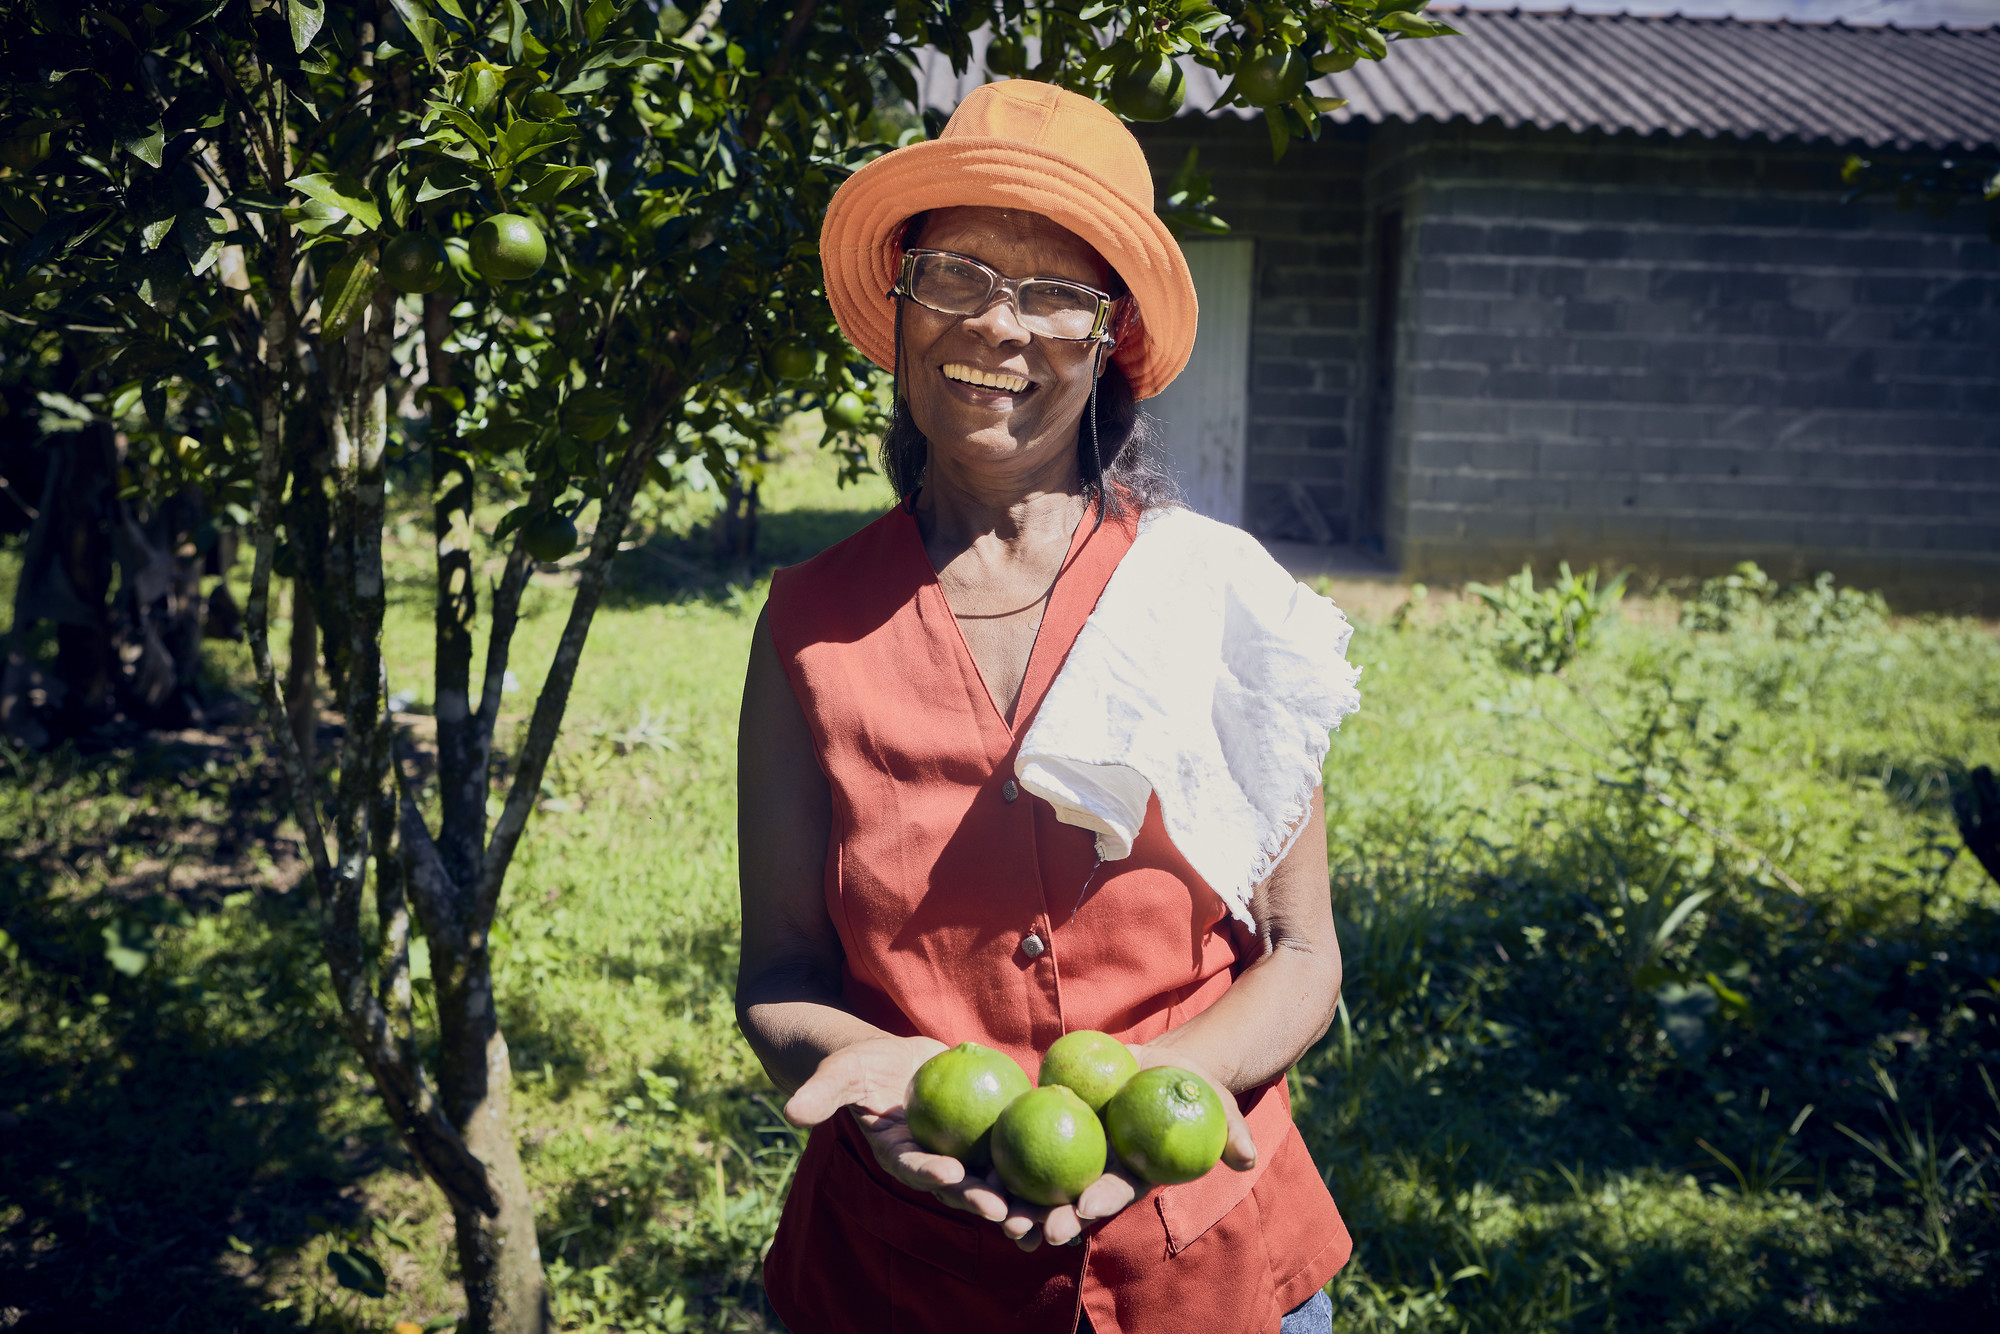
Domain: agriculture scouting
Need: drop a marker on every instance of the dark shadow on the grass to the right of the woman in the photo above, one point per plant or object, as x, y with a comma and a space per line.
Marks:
1525, 1131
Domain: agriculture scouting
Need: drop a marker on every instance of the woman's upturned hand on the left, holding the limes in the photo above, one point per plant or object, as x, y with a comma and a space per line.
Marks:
873, 1079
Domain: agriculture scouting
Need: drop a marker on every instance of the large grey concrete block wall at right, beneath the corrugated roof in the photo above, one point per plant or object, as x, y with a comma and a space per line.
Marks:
1681, 355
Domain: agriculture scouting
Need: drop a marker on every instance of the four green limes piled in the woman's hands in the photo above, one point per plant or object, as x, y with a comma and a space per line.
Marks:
1049, 1143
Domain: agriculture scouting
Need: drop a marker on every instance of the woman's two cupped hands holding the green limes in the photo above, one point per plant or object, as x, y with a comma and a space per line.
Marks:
873, 1081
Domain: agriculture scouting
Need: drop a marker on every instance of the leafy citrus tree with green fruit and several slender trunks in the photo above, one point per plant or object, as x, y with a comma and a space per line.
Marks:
551, 251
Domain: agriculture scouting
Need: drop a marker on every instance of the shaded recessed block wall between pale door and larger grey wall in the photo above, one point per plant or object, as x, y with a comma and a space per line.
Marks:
1309, 217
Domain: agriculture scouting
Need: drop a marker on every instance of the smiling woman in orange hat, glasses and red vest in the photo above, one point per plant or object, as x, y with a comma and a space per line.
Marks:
903, 885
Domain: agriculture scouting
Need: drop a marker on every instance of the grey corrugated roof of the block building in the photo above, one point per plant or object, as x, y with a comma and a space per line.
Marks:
1707, 77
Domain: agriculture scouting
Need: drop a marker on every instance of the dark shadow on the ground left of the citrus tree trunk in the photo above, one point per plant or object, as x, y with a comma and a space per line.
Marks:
171, 1075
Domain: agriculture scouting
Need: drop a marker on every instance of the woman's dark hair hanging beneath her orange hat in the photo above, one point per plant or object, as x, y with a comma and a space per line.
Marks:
1125, 449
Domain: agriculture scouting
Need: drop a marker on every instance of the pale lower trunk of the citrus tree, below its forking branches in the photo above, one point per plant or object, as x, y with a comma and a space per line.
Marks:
499, 1257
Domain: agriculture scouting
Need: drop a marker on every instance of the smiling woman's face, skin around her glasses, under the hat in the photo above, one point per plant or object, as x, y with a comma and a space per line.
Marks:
1033, 419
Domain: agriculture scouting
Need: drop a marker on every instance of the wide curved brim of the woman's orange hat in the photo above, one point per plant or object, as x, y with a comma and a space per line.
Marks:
859, 249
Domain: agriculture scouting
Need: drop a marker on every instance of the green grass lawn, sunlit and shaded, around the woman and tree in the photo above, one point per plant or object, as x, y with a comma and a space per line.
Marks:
1673, 1003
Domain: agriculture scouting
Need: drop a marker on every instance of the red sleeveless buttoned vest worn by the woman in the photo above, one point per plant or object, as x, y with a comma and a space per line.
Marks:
969, 913
